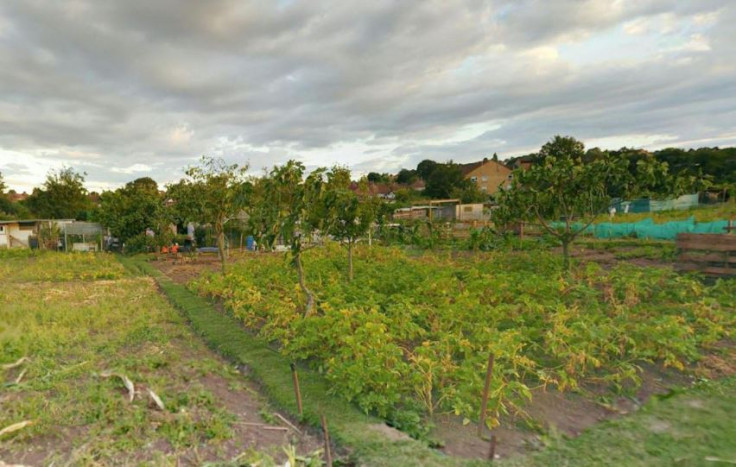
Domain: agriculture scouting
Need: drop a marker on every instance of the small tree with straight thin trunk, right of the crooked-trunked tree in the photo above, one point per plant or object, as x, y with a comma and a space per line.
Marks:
348, 217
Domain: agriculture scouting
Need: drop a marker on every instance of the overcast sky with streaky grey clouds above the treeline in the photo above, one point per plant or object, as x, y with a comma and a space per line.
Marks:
126, 89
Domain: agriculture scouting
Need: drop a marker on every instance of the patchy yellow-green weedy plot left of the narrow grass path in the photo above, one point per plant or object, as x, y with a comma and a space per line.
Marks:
71, 332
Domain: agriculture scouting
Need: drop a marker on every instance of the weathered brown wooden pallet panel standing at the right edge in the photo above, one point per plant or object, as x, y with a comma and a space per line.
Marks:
711, 254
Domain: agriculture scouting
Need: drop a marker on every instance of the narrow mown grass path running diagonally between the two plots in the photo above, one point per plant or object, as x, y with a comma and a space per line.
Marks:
348, 426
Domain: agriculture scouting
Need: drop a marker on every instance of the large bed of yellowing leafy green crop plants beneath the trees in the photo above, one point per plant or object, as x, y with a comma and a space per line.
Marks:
417, 331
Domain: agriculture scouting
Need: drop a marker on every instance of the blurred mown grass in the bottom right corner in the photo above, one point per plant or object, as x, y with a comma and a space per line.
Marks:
691, 427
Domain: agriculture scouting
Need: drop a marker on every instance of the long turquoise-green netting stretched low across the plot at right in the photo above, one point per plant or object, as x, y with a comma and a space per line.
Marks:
648, 229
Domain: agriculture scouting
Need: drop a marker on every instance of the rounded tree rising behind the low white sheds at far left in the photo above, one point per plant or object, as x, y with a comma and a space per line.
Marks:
63, 196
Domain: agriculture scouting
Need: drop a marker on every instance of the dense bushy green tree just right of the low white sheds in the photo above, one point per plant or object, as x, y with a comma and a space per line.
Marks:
130, 210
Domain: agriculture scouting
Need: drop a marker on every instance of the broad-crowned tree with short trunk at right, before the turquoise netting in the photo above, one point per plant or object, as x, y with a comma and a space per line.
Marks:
561, 187
